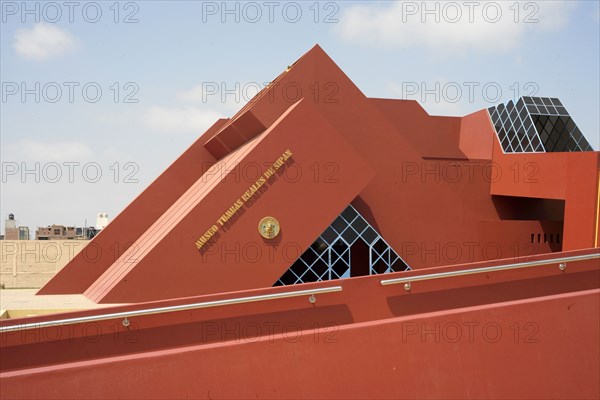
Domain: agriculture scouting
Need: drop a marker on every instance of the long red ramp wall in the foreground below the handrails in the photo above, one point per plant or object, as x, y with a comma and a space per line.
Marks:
509, 334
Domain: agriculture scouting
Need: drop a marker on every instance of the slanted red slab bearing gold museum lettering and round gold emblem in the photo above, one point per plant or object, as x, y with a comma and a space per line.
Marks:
238, 257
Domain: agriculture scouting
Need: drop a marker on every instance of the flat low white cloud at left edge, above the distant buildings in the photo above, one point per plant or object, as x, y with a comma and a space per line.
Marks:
37, 150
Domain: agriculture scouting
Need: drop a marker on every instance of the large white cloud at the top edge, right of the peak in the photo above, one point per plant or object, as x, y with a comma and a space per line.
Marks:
450, 27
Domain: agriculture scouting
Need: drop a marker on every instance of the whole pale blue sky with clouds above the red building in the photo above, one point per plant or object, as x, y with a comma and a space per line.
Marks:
157, 74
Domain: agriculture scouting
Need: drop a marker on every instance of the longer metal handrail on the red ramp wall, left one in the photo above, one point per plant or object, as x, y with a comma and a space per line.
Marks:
160, 310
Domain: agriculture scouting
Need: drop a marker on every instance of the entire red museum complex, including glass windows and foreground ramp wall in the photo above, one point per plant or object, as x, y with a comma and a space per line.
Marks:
473, 266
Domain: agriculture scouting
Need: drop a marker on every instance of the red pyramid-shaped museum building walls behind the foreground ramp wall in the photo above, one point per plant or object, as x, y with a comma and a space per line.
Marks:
423, 167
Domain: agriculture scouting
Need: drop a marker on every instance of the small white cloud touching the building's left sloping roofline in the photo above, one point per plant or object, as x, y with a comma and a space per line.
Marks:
180, 120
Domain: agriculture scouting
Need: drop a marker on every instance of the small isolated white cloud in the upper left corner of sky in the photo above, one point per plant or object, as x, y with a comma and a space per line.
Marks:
43, 41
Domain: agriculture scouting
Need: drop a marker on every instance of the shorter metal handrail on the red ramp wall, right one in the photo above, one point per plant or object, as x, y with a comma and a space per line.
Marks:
488, 269
